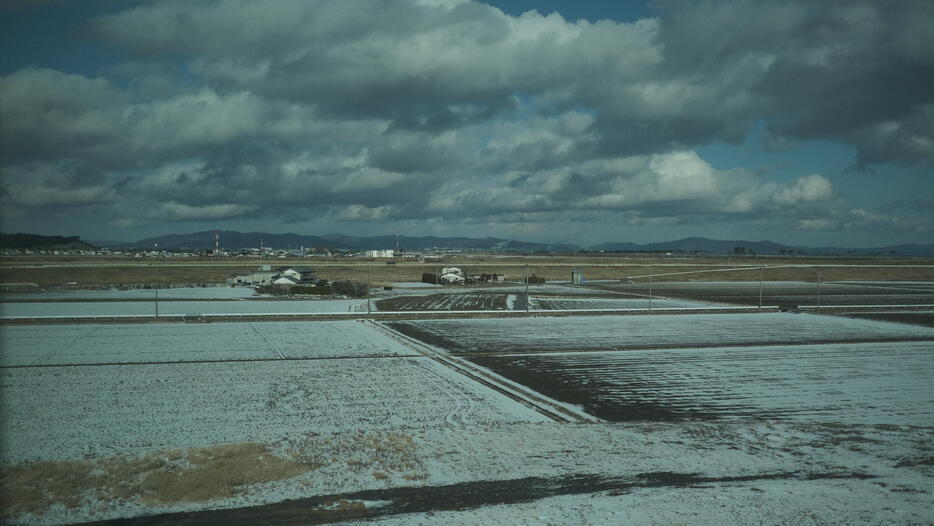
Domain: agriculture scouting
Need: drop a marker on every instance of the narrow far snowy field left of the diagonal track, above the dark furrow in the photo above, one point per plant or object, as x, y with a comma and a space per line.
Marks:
134, 343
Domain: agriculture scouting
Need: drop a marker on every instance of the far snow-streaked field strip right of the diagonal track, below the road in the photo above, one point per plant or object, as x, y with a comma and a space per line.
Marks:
675, 330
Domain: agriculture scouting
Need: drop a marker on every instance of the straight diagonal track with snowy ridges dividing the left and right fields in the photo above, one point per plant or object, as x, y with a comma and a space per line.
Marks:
550, 408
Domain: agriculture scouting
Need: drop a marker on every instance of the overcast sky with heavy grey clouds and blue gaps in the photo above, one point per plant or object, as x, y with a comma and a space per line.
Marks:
797, 121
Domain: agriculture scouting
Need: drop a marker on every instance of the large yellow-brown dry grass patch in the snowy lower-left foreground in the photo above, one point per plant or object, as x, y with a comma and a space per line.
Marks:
160, 477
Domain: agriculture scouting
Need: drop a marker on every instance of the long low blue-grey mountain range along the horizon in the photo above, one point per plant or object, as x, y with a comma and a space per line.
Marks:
232, 240
